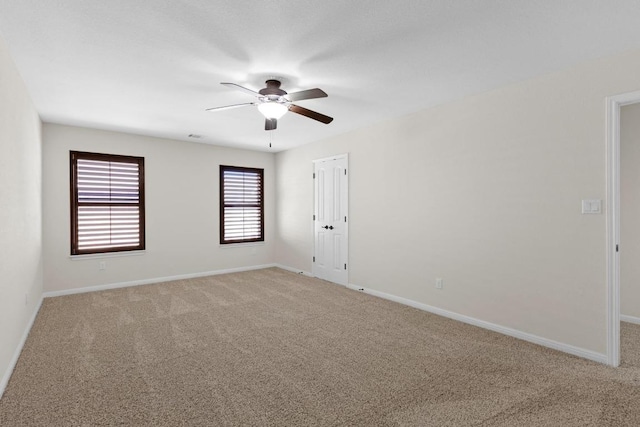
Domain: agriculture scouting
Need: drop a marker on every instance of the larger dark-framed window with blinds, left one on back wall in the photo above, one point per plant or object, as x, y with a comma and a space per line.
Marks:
107, 203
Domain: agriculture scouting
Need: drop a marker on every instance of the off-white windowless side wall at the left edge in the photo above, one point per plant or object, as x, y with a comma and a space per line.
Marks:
20, 212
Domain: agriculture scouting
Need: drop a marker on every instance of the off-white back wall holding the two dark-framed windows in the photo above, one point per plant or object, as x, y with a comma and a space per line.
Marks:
182, 209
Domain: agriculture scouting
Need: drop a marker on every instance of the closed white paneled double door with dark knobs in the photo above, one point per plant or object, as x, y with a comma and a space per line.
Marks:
331, 243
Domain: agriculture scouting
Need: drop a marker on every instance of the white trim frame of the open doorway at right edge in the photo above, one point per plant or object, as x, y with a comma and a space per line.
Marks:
613, 105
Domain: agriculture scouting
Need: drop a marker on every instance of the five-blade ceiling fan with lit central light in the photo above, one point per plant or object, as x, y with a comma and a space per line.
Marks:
274, 102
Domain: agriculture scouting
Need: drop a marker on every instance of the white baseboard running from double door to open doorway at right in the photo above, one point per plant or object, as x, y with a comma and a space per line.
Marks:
566, 348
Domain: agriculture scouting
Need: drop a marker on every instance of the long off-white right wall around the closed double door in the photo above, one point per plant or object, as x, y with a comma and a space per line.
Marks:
484, 192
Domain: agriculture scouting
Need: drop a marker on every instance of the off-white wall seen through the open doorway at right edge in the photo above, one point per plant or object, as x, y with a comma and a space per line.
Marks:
630, 210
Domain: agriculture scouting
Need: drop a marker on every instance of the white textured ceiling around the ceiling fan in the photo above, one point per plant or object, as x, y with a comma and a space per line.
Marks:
151, 67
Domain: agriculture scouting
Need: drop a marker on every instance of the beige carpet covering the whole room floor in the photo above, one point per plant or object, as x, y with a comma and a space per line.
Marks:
271, 347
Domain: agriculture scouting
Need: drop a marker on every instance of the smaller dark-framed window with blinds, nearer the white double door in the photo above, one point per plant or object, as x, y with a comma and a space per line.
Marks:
241, 205
